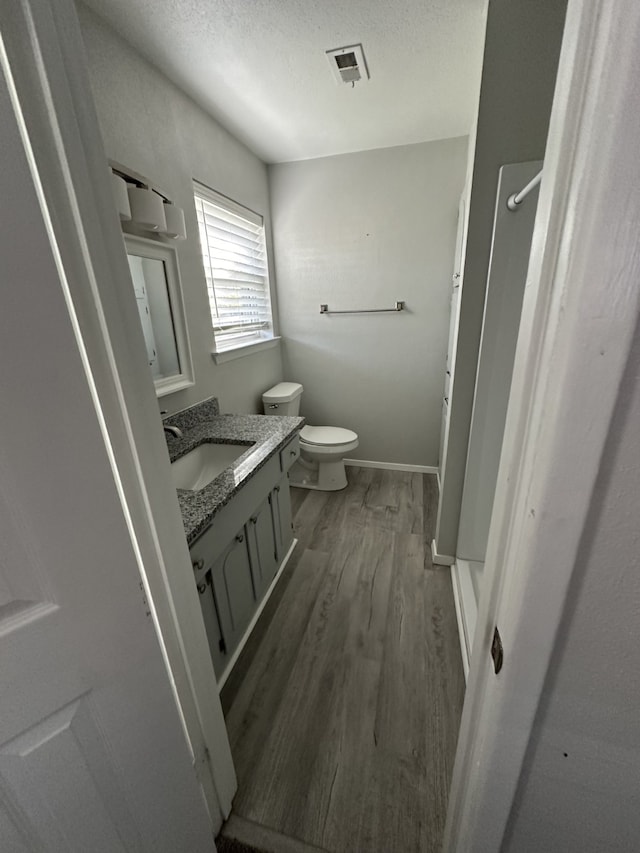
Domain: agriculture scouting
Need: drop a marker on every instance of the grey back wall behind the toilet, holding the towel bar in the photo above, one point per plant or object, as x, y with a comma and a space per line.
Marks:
362, 231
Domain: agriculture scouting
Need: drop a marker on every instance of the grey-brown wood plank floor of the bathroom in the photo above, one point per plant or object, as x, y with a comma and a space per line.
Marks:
343, 710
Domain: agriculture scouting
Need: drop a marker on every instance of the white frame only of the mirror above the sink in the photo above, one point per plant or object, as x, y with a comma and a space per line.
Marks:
144, 248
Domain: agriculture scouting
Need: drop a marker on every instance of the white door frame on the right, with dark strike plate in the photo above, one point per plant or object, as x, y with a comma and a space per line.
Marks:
580, 313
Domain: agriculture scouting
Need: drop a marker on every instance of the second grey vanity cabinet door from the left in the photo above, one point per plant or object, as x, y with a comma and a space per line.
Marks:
233, 591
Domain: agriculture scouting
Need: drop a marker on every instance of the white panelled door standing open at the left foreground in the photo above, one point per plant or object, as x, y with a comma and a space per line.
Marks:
93, 755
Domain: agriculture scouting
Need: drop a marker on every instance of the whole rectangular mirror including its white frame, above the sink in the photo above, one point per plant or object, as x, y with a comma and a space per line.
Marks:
156, 282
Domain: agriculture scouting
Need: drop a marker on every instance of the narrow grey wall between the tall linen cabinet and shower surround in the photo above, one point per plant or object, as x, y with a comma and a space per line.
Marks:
521, 54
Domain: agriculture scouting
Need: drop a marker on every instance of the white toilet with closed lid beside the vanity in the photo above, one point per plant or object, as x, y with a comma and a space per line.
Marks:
322, 449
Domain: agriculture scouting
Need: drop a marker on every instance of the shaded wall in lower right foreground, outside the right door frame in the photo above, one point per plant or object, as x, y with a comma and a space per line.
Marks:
583, 773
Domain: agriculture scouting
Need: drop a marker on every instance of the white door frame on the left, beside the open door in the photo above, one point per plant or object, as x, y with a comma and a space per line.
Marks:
42, 56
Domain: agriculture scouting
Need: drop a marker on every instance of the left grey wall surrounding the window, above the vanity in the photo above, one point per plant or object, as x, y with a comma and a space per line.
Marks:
151, 126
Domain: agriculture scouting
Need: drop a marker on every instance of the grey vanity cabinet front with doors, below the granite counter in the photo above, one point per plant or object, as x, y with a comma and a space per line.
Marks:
236, 559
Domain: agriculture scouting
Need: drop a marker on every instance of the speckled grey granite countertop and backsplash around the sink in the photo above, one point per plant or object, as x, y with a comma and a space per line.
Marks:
263, 435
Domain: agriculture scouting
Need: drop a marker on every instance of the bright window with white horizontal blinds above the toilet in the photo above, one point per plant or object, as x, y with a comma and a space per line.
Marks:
234, 256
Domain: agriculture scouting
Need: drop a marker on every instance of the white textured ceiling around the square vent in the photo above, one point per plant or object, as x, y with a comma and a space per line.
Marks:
259, 67
